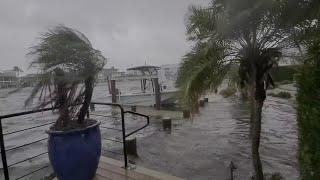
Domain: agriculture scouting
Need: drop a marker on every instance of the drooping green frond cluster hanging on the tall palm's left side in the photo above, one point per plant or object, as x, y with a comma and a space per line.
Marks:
201, 71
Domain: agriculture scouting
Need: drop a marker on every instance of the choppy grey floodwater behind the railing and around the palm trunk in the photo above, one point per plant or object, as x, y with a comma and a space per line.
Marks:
197, 148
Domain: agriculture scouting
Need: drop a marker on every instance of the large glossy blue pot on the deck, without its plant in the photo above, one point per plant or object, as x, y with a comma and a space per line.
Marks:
75, 154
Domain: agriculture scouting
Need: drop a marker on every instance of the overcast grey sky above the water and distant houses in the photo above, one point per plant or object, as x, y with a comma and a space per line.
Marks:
128, 32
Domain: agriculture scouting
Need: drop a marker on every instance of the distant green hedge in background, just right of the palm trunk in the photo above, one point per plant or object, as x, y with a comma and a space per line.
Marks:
284, 73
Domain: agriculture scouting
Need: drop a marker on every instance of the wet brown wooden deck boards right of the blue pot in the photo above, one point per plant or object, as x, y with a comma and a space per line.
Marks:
112, 169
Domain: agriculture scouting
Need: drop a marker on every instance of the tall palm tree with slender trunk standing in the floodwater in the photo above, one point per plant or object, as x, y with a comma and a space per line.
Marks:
232, 33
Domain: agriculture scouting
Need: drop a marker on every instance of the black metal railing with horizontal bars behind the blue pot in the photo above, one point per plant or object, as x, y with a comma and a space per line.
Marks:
4, 150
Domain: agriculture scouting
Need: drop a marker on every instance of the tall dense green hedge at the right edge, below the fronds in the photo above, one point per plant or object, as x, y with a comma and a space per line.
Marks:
308, 117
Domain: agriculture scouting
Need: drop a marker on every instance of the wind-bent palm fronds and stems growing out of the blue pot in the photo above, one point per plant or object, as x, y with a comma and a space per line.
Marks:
68, 67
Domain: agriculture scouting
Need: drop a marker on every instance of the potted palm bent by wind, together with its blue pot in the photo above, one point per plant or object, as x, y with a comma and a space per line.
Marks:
68, 67
